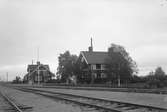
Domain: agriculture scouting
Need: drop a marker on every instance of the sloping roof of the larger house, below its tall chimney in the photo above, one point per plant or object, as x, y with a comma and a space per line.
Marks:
95, 57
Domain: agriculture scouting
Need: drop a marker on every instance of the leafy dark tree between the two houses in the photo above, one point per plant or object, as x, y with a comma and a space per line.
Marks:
67, 66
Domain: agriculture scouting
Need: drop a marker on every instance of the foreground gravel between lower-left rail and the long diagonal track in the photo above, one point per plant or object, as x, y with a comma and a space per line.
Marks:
42, 104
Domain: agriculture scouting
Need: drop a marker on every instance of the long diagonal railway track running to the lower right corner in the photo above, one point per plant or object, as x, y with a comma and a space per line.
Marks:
100, 104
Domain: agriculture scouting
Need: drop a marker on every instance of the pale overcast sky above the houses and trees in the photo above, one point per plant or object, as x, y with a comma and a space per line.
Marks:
55, 26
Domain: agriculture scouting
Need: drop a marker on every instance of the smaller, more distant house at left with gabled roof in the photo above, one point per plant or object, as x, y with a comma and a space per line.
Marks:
38, 73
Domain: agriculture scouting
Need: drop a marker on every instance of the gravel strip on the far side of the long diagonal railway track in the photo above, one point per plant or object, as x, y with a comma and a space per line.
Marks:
157, 100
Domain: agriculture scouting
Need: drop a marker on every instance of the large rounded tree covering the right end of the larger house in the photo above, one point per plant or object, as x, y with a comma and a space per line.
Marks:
119, 64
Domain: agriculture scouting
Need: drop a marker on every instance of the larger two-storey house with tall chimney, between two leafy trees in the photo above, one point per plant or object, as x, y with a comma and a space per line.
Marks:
93, 65
